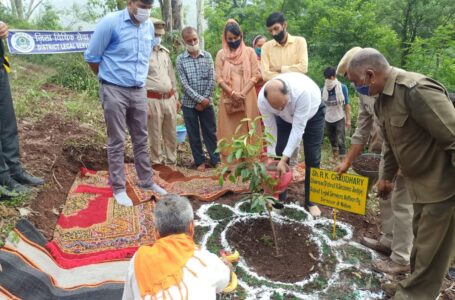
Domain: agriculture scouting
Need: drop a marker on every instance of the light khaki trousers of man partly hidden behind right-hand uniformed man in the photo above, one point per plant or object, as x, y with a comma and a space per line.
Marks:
396, 219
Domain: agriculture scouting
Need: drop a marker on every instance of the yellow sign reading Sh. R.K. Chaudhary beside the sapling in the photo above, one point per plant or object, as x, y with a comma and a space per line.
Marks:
346, 192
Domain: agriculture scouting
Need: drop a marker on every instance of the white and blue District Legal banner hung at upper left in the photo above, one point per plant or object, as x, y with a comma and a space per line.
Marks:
47, 42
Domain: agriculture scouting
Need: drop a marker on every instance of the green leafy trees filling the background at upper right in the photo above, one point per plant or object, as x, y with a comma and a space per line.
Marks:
413, 34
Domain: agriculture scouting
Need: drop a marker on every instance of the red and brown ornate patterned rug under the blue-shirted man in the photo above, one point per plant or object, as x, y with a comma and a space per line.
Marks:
93, 228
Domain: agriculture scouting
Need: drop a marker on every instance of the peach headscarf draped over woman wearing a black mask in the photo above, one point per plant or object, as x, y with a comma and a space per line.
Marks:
236, 57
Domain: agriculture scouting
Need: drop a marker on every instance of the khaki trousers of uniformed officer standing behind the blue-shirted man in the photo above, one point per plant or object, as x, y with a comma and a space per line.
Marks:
162, 130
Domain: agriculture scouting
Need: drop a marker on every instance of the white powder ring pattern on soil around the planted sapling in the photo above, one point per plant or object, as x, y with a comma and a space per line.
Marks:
268, 287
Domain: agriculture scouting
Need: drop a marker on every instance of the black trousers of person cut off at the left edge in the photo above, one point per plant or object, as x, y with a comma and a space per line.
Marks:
9, 139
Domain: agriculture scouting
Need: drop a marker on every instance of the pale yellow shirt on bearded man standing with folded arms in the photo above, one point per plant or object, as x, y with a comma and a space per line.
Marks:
292, 57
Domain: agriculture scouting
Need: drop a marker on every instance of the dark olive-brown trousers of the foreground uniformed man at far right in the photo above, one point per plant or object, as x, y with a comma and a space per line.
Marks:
433, 250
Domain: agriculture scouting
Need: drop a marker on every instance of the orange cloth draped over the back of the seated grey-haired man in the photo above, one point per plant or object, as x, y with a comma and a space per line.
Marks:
160, 266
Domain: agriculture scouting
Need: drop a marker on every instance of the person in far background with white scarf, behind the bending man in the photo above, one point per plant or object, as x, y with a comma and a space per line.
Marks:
337, 115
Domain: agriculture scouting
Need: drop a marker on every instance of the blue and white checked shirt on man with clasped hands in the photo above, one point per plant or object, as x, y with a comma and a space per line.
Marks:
197, 77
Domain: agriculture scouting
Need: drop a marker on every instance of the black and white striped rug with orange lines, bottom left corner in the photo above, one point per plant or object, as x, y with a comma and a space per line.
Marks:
29, 272
